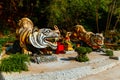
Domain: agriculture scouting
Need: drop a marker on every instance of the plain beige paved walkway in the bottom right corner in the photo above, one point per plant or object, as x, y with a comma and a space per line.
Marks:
110, 74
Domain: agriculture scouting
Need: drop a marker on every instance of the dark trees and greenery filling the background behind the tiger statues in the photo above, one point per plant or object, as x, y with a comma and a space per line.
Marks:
94, 15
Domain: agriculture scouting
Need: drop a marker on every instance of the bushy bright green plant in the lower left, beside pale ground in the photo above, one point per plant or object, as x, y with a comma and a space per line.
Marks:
14, 63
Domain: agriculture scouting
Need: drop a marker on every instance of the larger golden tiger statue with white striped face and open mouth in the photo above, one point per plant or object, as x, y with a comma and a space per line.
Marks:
39, 38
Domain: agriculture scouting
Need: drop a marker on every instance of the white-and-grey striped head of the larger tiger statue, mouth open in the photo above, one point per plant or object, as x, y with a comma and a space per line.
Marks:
43, 38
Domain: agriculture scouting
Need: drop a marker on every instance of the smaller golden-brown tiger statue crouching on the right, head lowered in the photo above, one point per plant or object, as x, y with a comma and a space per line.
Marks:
96, 41
